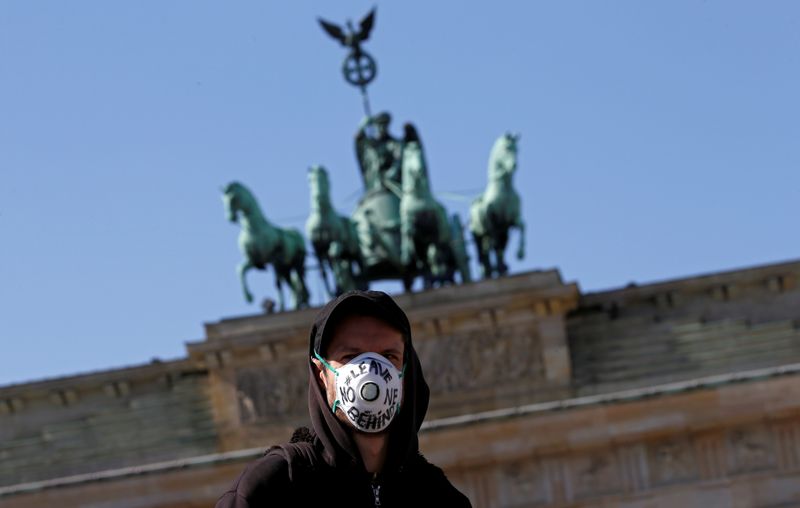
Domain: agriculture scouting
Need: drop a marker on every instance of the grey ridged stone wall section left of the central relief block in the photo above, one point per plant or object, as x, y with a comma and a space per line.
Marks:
102, 421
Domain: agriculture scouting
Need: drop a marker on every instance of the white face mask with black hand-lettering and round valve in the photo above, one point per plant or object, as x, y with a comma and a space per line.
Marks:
369, 390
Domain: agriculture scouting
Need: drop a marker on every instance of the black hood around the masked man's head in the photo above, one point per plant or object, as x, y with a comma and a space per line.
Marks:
340, 449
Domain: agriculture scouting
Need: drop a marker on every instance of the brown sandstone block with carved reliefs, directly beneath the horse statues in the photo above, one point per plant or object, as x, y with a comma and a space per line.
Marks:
483, 346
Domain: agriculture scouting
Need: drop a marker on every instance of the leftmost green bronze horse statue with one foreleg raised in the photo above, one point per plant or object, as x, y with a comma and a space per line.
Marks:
262, 243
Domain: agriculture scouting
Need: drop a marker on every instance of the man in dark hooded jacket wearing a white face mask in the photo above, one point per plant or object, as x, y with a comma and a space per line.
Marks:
367, 399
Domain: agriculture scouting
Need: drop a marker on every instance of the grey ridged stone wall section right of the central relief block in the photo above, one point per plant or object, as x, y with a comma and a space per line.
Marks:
639, 336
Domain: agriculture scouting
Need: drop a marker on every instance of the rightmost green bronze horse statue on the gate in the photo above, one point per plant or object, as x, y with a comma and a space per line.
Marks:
497, 210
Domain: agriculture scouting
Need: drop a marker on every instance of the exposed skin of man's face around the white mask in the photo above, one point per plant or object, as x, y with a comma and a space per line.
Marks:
353, 336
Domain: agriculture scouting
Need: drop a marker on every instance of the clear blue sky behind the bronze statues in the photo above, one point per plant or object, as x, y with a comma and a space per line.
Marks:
659, 140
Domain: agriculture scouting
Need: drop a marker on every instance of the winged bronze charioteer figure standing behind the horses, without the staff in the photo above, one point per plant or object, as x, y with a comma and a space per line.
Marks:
378, 153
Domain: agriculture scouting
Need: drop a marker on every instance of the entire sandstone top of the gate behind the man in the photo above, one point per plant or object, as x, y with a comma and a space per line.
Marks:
681, 393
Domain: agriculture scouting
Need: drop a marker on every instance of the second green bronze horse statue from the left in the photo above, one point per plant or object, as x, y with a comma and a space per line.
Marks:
333, 238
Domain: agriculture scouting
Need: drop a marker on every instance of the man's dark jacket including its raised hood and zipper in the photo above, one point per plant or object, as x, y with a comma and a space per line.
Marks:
322, 465
